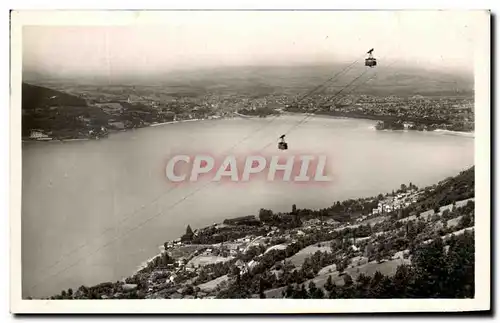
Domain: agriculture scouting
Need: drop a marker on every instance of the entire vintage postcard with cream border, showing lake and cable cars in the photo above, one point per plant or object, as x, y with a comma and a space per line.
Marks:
234, 155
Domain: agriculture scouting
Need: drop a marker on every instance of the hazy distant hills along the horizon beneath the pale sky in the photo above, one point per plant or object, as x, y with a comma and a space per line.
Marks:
264, 80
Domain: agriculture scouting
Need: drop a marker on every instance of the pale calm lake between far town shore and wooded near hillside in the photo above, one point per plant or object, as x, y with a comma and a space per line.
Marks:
93, 211
